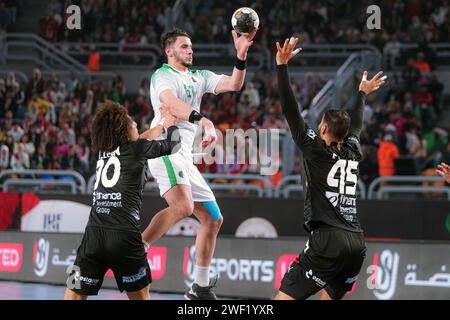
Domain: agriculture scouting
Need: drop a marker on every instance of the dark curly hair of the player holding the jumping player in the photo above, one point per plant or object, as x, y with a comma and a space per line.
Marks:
109, 127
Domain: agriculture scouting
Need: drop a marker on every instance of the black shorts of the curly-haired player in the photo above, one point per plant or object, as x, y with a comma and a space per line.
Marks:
101, 249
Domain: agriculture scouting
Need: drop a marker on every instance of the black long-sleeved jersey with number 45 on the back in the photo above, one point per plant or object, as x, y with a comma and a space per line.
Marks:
329, 174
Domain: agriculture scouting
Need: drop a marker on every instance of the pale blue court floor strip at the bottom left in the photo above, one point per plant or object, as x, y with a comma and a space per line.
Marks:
37, 291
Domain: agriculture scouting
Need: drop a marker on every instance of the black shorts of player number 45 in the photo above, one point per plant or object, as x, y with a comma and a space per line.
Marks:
331, 260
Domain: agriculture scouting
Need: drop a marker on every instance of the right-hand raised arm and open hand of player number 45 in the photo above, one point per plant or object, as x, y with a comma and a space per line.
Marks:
365, 87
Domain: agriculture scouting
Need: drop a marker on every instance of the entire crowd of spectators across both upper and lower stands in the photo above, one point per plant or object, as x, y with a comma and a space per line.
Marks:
45, 123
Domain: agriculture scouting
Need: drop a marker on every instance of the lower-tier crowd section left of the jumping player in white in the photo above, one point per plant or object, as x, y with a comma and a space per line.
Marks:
44, 124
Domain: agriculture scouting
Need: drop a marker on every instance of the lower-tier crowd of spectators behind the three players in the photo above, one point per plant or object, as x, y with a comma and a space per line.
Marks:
44, 123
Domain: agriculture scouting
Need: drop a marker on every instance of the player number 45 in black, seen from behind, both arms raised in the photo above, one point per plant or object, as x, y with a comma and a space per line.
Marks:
335, 251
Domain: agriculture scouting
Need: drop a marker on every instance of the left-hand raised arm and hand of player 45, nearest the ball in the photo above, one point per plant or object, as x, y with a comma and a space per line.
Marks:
288, 103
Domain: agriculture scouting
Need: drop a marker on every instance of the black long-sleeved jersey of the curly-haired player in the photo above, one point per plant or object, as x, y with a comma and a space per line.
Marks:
120, 179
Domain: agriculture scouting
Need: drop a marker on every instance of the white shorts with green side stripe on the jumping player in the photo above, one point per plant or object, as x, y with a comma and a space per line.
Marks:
175, 169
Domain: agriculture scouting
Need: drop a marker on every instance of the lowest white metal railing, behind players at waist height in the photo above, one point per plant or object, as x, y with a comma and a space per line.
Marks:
287, 185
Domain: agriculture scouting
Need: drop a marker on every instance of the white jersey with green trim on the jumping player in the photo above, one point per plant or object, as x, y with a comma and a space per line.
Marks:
188, 86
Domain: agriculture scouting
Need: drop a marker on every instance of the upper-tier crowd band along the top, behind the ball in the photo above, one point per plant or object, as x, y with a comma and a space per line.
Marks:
314, 21
